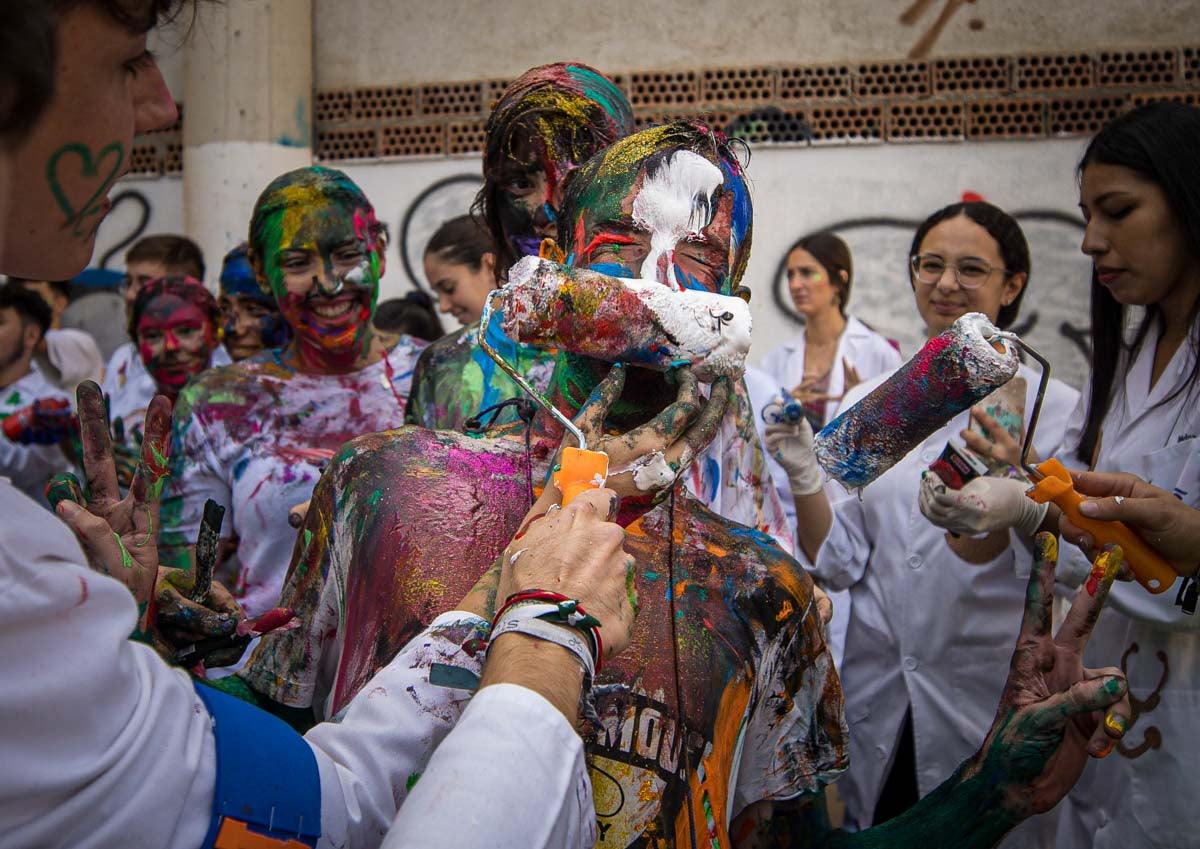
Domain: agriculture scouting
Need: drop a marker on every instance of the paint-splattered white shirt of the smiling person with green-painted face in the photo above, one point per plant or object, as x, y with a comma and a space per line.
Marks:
255, 437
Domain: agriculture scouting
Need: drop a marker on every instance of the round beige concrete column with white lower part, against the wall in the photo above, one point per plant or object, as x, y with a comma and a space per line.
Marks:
248, 113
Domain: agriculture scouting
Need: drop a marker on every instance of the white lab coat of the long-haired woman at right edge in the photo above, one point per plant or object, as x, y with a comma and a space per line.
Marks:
1153, 799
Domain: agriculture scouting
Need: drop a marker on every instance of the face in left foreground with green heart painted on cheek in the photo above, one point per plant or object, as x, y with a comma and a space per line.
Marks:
107, 88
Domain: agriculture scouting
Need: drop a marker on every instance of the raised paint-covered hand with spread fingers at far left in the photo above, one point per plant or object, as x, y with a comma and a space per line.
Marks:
121, 534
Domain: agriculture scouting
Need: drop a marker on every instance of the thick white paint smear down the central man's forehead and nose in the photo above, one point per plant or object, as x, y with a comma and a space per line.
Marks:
676, 203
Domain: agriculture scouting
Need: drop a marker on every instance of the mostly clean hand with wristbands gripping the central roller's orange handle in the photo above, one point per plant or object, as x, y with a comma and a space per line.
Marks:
578, 552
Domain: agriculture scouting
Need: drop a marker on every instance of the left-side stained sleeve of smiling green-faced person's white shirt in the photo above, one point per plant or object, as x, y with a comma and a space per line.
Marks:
197, 474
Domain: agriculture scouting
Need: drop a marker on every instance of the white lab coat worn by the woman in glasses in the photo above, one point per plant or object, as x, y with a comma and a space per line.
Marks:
927, 629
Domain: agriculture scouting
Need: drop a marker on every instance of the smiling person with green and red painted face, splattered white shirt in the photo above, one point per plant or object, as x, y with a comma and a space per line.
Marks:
255, 436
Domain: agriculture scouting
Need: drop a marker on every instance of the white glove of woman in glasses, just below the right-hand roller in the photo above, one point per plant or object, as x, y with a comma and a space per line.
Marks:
983, 505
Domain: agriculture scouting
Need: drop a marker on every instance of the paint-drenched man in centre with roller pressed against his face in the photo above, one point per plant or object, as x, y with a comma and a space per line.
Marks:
724, 722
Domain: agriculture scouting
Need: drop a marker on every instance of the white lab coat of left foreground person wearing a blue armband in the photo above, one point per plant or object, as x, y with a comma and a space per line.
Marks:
105, 745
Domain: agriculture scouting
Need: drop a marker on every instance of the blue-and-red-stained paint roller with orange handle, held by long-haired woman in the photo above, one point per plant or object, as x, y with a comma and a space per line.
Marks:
953, 371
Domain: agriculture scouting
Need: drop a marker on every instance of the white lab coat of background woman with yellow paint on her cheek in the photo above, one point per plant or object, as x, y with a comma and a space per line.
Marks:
783, 370
